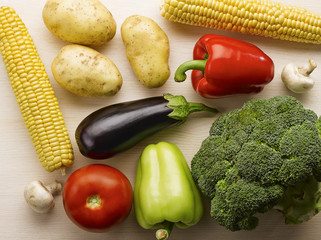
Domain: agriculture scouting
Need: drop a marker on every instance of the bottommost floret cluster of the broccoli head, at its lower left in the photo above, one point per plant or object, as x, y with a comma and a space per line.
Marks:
235, 204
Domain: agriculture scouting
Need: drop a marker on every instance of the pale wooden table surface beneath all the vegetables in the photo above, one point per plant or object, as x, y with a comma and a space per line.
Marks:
19, 163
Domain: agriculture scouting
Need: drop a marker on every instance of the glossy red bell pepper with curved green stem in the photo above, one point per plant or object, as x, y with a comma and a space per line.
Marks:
225, 66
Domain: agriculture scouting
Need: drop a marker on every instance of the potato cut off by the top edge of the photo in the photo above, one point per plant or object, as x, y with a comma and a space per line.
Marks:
86, 22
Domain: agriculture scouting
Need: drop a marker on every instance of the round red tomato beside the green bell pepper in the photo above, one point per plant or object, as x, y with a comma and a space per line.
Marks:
97, 197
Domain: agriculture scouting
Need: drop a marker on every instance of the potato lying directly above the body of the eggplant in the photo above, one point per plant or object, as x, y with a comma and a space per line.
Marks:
86, 72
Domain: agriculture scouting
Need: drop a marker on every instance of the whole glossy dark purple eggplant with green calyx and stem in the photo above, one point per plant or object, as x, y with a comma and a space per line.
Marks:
118, 127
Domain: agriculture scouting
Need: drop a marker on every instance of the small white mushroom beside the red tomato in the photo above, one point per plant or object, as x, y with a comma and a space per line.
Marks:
40, 197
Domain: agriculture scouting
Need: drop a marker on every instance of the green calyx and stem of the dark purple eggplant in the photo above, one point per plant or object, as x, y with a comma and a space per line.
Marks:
182, 108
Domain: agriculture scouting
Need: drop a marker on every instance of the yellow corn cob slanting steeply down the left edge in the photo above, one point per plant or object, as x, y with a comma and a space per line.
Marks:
34, 93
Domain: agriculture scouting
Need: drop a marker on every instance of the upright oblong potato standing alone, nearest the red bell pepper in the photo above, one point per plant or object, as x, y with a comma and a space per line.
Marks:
147, 49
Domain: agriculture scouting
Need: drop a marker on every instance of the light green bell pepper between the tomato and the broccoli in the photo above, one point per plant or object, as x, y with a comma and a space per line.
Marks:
164, 192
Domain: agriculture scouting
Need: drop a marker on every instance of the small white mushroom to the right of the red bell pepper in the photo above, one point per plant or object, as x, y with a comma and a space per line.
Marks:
297, 79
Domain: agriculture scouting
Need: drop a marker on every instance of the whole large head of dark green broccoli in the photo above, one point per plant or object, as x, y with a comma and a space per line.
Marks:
266, 155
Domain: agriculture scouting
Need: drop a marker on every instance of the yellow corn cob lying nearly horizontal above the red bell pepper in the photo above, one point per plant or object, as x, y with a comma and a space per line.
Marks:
257, 17
